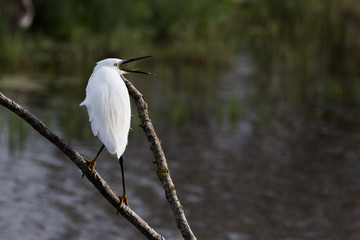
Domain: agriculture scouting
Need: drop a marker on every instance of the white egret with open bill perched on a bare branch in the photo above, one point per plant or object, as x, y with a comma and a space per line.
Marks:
108, 105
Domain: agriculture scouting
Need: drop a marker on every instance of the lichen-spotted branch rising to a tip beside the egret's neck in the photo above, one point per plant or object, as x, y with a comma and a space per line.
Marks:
160, 160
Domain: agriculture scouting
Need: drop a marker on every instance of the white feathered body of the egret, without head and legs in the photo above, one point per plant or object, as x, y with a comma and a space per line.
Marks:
108, 104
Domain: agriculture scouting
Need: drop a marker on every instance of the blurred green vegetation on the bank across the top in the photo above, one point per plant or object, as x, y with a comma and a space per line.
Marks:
200, 31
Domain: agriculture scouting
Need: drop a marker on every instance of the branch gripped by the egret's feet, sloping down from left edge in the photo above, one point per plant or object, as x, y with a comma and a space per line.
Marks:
95, 178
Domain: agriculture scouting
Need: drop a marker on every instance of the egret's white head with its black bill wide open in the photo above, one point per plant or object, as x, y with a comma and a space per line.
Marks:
118, 64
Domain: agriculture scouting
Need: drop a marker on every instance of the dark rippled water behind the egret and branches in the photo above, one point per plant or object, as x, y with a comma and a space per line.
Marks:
254, 154
